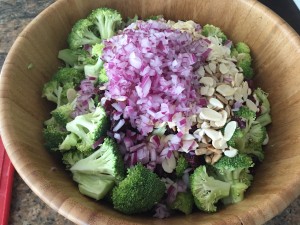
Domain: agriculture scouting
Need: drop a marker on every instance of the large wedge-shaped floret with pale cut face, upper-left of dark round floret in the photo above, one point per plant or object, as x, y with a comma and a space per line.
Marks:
105, 163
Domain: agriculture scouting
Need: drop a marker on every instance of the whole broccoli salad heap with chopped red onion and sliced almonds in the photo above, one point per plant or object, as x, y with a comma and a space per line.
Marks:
156, 116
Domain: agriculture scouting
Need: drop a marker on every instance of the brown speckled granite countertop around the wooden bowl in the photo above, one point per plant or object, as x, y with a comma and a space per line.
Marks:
26, 207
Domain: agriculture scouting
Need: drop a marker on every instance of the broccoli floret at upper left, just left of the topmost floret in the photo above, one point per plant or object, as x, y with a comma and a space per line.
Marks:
81, 34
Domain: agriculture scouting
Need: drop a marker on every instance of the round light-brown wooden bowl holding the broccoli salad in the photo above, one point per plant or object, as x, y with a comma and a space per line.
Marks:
275, 48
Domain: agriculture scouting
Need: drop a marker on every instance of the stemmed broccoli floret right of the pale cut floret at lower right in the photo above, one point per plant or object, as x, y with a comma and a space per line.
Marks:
229, 170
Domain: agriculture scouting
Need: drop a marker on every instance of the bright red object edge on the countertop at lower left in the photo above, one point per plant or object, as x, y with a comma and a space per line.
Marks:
6, 182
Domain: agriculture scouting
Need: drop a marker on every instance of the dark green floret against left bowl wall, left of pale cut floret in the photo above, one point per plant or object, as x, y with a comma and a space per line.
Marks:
53, 135
